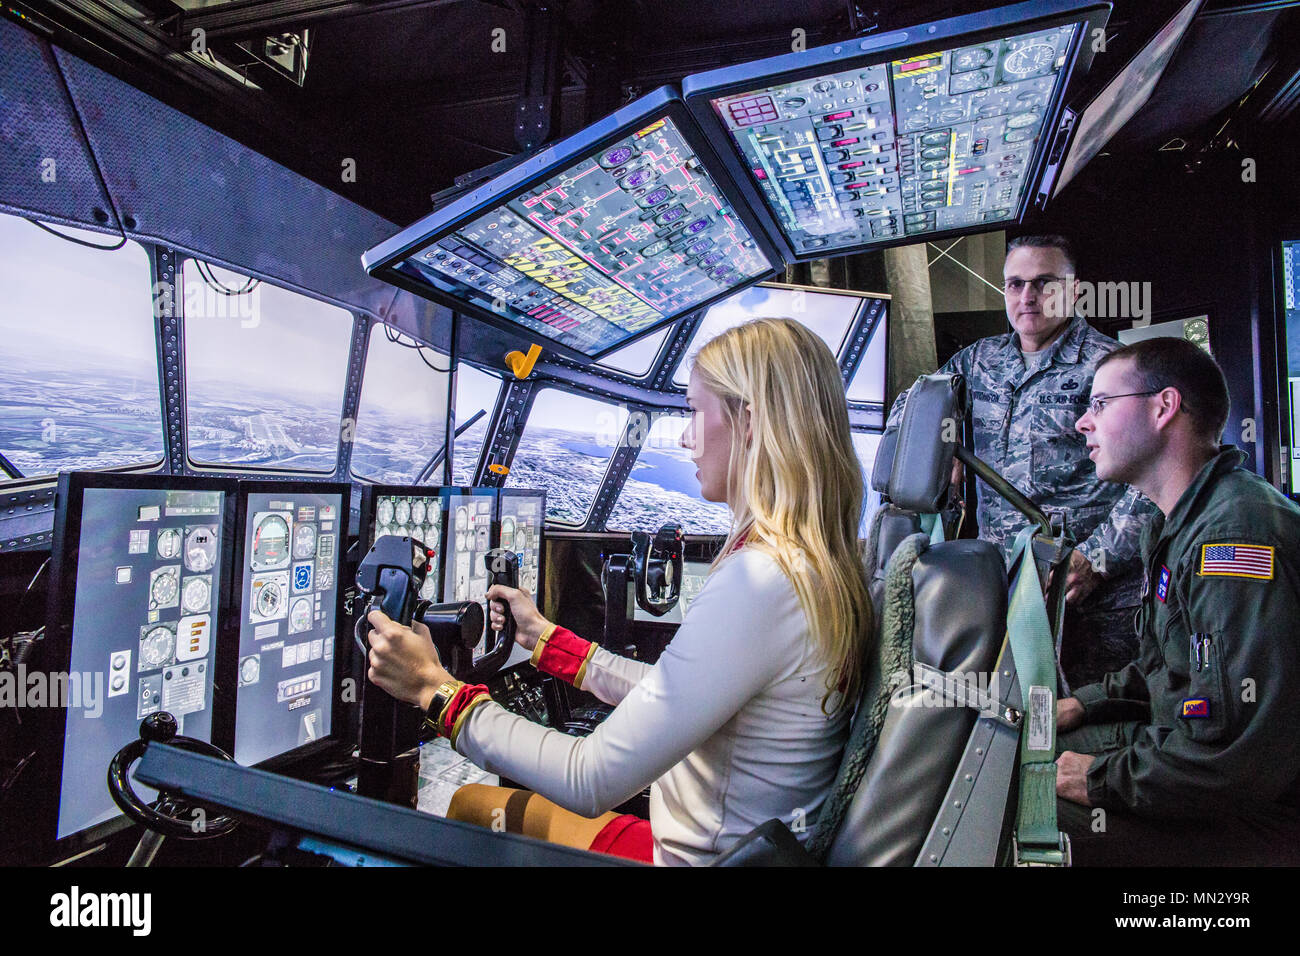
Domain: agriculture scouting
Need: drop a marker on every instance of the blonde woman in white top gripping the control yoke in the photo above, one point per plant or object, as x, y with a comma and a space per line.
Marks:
744, 716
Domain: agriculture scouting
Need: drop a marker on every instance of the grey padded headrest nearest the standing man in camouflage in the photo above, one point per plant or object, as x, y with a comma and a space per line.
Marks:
915, 462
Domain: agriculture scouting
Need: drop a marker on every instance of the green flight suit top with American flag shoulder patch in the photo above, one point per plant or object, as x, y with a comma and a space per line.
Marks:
1220, 664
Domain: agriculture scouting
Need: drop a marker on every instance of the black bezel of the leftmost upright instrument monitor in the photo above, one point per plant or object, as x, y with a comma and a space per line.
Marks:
58, 643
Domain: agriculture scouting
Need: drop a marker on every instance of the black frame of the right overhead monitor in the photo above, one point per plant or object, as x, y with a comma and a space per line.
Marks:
699, 92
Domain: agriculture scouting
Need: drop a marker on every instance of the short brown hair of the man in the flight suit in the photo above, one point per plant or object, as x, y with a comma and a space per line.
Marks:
1175, 364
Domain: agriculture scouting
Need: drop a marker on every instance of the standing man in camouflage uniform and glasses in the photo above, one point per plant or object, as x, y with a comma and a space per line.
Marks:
1028, 390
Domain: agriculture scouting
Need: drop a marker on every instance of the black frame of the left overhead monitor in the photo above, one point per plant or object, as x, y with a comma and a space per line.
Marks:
383, 261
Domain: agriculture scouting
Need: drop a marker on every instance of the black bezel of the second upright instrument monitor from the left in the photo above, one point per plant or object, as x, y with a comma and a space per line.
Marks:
228, 659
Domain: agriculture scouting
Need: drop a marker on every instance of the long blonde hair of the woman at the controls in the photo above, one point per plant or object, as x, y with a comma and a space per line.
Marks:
796, 490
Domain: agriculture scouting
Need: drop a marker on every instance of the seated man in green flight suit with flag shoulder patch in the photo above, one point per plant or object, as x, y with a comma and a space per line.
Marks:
1191, 751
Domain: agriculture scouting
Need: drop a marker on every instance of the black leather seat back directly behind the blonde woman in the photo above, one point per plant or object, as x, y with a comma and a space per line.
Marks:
960, 625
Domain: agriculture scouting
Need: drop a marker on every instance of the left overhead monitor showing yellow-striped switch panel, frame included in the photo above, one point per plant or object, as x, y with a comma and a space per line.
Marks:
595, 241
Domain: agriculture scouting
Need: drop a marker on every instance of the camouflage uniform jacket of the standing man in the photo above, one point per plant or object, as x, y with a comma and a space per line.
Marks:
1024, 429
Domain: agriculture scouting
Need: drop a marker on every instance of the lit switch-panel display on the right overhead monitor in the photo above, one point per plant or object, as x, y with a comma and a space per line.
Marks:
922, 145
